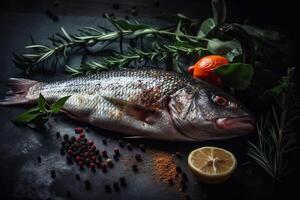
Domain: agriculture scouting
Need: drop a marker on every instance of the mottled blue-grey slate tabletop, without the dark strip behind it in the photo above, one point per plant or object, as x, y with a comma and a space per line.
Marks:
22, 177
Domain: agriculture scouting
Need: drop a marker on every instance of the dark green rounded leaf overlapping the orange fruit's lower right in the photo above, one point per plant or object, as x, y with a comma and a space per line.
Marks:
236, 75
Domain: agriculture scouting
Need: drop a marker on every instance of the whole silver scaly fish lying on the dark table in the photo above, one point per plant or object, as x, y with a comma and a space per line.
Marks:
148, 103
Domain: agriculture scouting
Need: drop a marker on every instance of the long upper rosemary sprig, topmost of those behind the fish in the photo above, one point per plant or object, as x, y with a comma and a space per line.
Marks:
65, 43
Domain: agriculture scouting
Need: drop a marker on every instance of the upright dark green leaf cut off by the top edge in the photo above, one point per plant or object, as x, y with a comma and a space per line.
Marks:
219, 11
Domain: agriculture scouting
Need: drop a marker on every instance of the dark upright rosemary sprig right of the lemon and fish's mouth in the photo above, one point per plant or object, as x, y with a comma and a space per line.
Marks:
275, 131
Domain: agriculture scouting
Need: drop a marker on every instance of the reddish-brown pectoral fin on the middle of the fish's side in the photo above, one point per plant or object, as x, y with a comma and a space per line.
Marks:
136, 111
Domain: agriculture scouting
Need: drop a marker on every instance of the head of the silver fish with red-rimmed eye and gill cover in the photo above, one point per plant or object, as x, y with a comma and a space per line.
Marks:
203, 112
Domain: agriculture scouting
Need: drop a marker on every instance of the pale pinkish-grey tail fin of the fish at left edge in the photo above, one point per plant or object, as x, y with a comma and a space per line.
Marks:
18, 88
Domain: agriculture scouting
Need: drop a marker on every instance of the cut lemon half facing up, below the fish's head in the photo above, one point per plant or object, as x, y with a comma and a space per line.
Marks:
212, 164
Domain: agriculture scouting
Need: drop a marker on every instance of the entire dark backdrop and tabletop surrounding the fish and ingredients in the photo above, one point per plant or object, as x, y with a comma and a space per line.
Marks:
22, 177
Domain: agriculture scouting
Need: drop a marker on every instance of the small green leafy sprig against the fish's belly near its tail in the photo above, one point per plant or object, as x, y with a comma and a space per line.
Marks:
42, 112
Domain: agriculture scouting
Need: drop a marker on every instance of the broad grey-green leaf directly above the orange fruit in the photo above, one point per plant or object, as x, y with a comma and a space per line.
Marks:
230, 49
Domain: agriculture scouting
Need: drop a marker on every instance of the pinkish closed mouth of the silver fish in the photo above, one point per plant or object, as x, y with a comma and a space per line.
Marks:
245, 124
